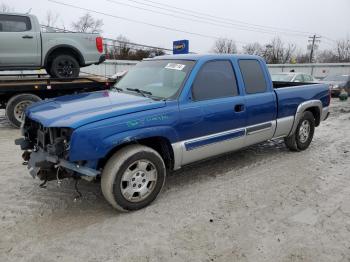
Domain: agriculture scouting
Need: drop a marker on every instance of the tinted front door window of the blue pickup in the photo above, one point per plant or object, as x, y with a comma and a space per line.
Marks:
215, 79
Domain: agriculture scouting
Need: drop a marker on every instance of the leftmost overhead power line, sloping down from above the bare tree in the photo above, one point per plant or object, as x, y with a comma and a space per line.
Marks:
137, 21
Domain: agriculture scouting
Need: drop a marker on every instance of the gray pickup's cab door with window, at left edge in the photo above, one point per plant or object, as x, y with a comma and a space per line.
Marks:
19, 42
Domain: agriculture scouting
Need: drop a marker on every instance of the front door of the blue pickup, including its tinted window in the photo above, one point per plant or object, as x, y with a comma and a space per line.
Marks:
212, 121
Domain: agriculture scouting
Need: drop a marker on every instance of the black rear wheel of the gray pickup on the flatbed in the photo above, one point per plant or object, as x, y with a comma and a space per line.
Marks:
64, 66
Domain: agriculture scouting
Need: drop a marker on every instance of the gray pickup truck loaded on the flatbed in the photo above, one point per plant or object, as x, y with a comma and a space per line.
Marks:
24, 47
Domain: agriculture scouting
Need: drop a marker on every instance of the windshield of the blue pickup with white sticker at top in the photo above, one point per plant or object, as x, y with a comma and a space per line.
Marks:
156, 78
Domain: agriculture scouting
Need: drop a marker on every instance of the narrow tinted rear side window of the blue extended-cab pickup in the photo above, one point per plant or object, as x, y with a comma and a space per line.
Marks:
253, 76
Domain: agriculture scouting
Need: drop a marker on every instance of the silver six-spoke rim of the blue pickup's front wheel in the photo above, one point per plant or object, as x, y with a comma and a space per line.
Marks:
138, 180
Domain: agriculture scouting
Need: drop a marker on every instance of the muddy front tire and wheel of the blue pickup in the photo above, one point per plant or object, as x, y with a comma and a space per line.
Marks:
116, 168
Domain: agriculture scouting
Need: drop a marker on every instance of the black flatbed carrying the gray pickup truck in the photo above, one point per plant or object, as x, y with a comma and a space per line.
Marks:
16, 93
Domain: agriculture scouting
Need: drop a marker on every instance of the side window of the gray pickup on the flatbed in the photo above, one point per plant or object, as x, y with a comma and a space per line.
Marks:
14, 23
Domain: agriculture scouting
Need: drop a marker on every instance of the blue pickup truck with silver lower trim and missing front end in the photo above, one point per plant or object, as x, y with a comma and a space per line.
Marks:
165, 113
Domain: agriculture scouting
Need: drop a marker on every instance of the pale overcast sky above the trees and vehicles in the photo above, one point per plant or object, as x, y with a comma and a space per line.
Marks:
239, 19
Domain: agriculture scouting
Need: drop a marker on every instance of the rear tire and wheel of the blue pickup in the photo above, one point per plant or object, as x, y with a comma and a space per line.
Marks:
298, 142
